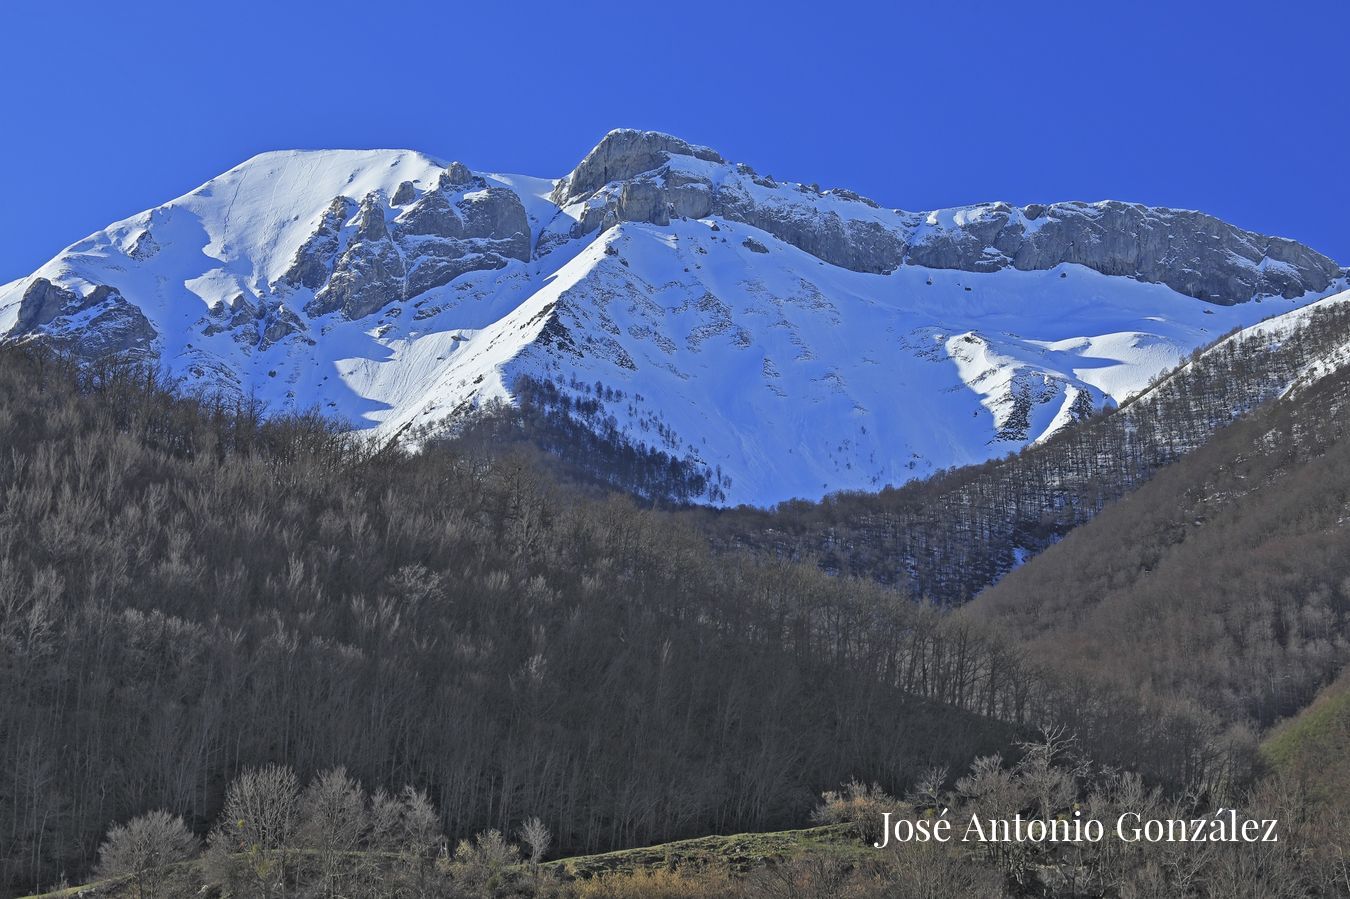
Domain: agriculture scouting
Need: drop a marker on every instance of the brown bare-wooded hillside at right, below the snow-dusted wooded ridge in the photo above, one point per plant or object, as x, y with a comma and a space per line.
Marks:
1222, 587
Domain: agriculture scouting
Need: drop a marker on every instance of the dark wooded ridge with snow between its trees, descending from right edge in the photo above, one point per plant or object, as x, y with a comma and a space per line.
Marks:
947, 538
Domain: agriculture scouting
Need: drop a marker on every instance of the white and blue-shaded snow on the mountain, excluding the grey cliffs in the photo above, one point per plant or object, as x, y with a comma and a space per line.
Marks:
793, 376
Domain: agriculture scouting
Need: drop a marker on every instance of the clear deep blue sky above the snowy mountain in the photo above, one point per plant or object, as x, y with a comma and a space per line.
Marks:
1237, 109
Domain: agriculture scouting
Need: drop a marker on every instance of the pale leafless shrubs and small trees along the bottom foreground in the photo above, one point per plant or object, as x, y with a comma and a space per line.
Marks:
1048, 823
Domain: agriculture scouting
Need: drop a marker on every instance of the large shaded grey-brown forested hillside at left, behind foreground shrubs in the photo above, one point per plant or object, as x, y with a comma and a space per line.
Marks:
187, 592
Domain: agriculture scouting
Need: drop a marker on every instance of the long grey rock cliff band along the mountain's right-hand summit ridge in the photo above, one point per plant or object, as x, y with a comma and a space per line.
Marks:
649, 178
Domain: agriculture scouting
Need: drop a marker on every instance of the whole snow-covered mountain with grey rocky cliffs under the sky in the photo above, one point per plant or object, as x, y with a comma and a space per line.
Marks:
793, 339
